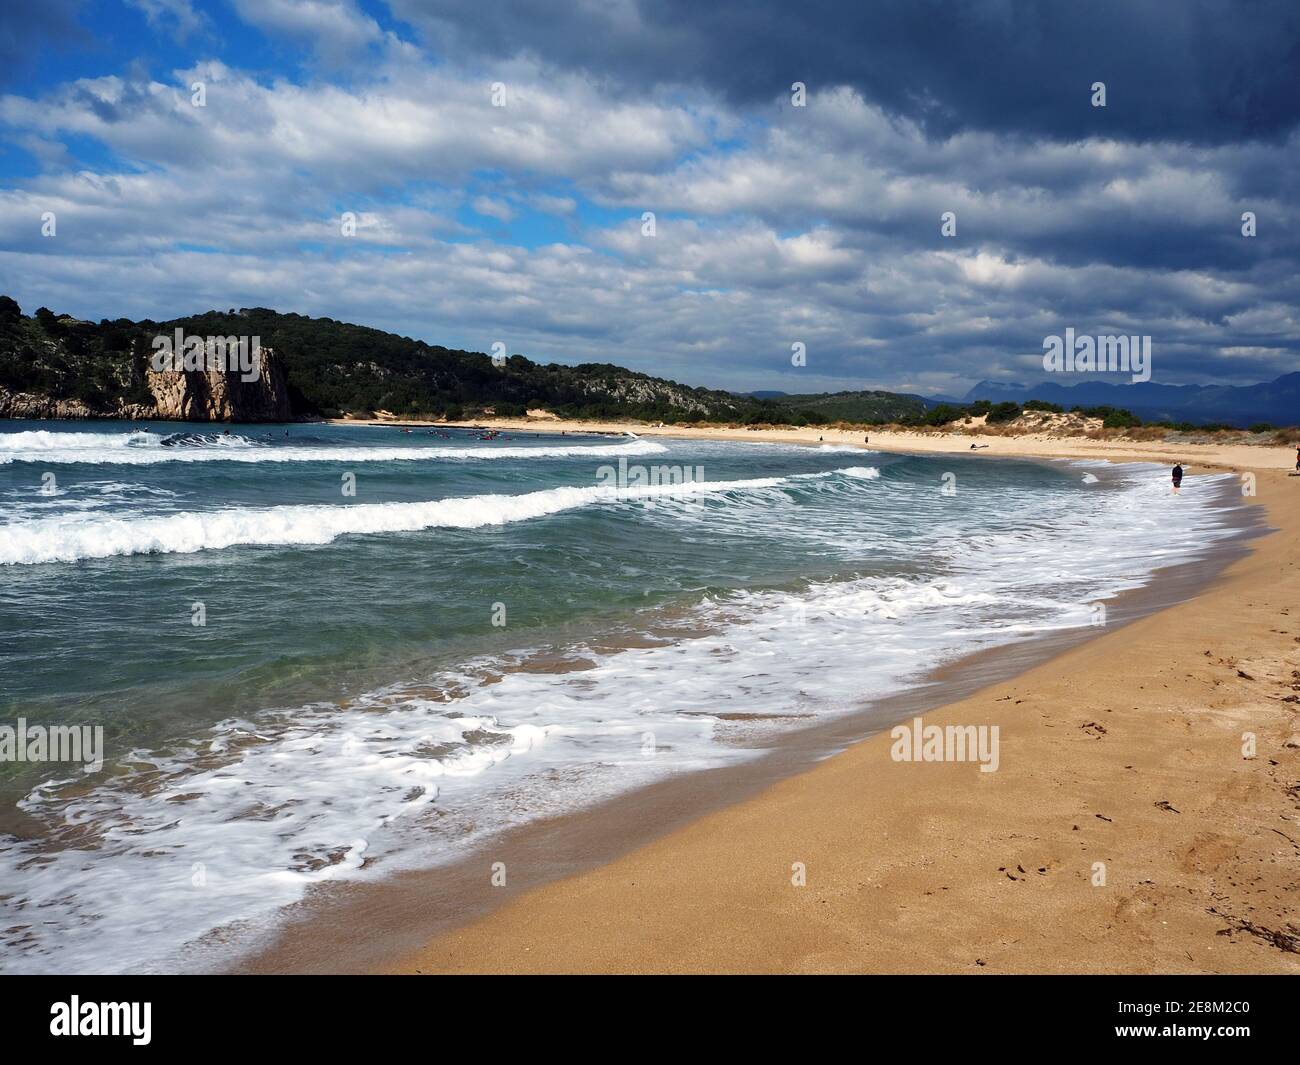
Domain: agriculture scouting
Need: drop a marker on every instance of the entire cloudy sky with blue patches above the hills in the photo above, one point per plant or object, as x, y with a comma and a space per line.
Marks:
499, 158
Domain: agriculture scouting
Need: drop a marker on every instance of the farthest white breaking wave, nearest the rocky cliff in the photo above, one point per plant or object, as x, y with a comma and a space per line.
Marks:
149, 449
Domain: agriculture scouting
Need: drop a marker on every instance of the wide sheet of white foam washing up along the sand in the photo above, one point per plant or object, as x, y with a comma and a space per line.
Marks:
175, 845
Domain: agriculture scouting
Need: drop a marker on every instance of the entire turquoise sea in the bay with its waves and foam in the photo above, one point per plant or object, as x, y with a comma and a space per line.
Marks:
487, 631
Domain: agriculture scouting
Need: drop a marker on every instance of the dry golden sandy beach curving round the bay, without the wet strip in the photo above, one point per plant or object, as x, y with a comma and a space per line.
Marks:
1143, 819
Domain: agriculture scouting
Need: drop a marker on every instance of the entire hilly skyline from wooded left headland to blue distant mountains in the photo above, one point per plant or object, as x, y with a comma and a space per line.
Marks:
60, 367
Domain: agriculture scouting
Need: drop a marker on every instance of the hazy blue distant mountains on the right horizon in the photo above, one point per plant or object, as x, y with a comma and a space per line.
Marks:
1277, 402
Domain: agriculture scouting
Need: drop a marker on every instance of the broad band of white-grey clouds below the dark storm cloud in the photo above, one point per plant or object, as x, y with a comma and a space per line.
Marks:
821, 227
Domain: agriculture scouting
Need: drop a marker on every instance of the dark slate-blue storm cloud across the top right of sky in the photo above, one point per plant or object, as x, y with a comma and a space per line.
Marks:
1197, 71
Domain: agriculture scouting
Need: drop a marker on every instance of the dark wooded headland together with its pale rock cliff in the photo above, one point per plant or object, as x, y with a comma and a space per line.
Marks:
60, 366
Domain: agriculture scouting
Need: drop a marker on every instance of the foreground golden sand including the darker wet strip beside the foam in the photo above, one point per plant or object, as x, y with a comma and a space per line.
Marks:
921, 872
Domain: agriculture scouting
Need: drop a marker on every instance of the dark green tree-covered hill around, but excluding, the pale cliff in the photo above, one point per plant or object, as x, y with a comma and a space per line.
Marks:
335, 369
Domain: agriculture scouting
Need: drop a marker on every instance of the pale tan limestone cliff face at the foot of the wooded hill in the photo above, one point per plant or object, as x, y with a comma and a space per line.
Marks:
220, 396
